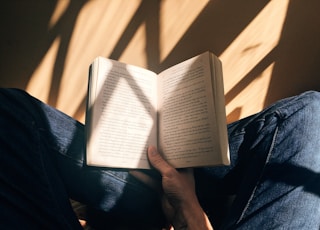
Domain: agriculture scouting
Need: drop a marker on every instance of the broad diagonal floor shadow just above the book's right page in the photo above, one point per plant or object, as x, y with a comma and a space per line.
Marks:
216, 27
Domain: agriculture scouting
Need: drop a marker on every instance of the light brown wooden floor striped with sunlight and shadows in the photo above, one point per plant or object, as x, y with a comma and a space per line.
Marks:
269, 49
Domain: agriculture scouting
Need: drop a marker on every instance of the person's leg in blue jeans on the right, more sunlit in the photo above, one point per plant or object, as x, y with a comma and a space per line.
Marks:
275, 168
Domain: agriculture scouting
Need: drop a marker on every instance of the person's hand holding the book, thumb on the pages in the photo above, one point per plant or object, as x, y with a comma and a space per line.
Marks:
180, 203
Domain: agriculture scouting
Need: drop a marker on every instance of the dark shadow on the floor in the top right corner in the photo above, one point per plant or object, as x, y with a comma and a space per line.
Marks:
298, 57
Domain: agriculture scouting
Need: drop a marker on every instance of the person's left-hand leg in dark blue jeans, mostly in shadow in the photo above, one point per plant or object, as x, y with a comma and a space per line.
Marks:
43, 149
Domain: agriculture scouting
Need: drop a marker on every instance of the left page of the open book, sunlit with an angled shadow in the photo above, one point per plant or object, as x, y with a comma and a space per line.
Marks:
123, 116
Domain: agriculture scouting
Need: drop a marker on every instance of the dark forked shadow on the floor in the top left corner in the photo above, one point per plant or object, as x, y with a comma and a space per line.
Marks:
27, 39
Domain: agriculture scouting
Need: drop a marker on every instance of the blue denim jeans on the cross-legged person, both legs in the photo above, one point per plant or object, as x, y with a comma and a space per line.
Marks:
274, 176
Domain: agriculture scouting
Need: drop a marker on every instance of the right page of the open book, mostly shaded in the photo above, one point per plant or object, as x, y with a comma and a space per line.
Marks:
186, 118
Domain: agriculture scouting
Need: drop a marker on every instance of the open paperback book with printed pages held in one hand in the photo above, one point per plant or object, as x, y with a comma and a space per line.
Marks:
181, 111
